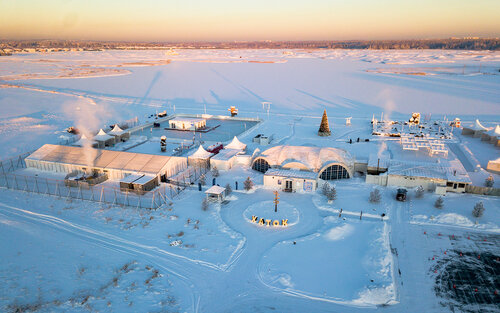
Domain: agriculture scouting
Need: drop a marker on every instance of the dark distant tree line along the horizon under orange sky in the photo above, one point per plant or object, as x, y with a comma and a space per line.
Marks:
448, 44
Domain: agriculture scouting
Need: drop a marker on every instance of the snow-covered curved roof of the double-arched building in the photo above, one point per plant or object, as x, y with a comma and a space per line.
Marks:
313, 158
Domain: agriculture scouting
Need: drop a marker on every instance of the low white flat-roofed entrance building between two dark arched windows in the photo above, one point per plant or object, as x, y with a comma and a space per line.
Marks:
291, 180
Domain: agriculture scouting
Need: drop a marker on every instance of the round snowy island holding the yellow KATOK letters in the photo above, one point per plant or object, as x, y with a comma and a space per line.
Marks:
286, 216
